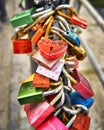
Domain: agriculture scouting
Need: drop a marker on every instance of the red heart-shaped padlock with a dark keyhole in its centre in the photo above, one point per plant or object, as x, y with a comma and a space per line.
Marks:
52, 49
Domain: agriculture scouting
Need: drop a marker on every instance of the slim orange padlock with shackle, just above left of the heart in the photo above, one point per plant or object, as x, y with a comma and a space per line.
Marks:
41, 31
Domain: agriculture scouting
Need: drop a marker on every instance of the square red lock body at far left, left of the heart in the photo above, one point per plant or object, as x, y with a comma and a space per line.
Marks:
22, 46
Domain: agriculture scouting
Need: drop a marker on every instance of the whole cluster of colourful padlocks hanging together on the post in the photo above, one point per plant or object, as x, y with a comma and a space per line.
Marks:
57, 96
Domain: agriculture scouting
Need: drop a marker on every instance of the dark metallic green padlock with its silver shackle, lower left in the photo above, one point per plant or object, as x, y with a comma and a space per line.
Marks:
28, 93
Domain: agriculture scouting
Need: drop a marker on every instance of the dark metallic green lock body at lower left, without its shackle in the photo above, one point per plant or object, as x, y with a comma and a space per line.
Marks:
29, 94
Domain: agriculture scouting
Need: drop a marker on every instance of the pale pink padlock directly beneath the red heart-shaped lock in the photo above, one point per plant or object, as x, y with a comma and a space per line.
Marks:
43, 61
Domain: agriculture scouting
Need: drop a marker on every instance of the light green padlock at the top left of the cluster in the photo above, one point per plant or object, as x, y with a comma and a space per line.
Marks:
25, 17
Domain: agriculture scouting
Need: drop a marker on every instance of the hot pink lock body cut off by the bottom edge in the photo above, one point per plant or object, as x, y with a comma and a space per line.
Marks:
52, 123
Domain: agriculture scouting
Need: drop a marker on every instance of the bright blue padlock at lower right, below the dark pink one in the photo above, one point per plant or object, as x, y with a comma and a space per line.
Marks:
77, 99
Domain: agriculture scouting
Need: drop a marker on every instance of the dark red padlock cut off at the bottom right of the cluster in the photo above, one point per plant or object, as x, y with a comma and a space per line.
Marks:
82, 122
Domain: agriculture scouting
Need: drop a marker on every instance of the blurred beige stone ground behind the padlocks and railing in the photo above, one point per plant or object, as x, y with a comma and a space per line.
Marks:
15, 68
